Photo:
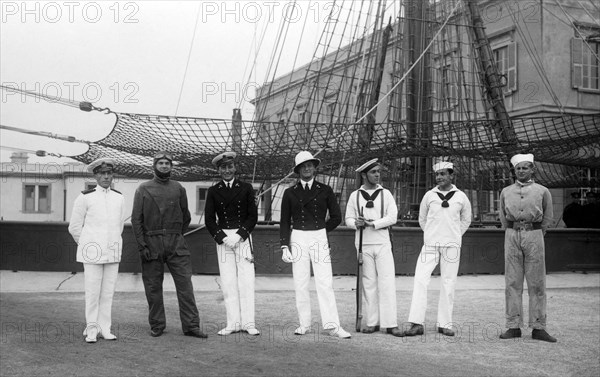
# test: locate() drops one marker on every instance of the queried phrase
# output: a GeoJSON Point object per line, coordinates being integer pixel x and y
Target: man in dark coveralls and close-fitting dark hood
{"type": "Point", "coordinates": [160, 216]}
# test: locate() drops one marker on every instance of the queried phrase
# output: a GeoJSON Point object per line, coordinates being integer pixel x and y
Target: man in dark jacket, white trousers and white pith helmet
{"type": "Point", "coordinates": [305, 206]}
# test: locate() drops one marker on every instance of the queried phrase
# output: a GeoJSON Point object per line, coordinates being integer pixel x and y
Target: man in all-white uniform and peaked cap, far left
{"type": "Point", "coordinates": [96, 225]}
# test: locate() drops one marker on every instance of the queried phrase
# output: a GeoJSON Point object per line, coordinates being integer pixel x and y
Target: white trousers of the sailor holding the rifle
{"type": "Point", "coordinates": [379, 285]}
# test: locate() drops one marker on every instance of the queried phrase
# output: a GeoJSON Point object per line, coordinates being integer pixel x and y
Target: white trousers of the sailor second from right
{"type": "Point", "coordinates": [449, 260]}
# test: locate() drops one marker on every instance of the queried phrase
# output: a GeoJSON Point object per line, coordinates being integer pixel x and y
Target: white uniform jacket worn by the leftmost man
{"type": "Point", "coordinates": [96, 225]}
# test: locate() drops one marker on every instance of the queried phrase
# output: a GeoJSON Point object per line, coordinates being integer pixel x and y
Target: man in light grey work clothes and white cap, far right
{"type": "Point", "coordinates": [525, 213]}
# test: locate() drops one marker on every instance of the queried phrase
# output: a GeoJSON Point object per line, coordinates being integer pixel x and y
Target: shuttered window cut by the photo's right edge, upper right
{"type": "Point", "coordinates": [585, 69]}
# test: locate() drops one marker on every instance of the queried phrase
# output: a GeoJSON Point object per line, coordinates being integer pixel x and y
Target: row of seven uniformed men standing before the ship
{"type": "Point", "coordinates": [309, 210]}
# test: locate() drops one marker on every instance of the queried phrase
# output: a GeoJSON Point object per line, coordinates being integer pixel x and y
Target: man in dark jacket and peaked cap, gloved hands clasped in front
{"type": "Point", "coordinates": [231, 215]}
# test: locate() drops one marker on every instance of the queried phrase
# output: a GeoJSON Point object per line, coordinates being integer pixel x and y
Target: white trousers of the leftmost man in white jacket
{"type": "Point", "coordinates": [100, 281]}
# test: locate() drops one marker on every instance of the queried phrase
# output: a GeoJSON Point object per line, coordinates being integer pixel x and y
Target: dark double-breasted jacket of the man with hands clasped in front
{"type": "Point", "coordinates": [230, 208]}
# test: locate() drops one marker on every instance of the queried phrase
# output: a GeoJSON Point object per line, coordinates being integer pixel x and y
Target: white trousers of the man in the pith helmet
{"type": "Point", "coordinates": [311, 246]}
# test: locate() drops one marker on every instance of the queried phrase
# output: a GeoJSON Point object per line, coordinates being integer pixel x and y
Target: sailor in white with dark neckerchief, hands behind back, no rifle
{"type": "Point", "coordinates": [444, 216]}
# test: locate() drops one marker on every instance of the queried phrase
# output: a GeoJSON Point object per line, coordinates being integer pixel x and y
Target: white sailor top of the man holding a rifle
{"type": "Point", "coordinates": [379, 234]}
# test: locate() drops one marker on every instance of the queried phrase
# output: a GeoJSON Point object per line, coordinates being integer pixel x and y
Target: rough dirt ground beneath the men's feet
{"type": "Point", "coordinates": [41, 336]}
